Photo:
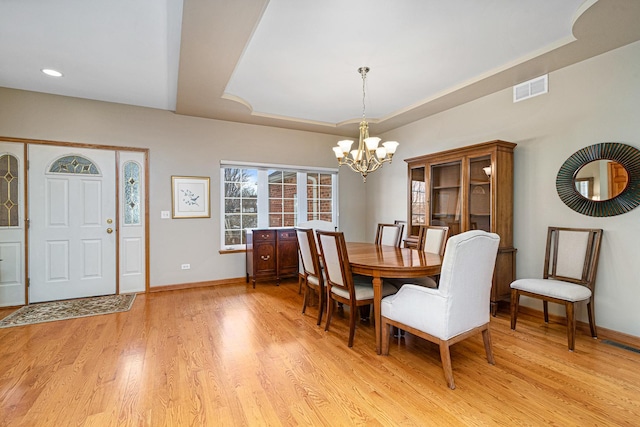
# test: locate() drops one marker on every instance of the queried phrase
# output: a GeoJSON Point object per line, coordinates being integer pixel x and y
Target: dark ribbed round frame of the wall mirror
{"type": "Point", "coordinates": [626, 155]}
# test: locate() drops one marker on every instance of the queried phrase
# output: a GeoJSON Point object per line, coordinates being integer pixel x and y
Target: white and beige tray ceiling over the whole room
{"type": "Point", "coordinates": [293, 63]}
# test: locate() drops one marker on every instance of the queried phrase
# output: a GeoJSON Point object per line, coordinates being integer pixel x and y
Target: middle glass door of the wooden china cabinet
{"type": "Point", "coordinates": [445, 196]}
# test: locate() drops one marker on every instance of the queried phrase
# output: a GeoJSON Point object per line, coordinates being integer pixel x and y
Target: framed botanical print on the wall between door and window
{"type": "Point", "coordinates": [190, 197]}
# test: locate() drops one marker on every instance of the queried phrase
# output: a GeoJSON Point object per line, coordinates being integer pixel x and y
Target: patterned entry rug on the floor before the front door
{"type": "Point", "coordinates": [69, 309]}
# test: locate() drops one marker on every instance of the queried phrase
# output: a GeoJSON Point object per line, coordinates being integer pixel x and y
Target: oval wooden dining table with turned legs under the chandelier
{"type": "Point", "coordinates": [380, 261]}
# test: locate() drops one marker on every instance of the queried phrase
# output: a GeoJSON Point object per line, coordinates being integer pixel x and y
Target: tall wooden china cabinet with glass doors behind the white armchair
{"type": "Point", "coordinates": [467, 188]}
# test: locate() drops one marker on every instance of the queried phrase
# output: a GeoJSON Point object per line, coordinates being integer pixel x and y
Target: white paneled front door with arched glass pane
{"type": "Point", "coordinates": [72, 237]}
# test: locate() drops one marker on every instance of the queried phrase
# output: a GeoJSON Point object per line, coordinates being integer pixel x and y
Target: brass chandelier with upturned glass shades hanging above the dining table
{"type": "Point", "coordinates": [369, 156]}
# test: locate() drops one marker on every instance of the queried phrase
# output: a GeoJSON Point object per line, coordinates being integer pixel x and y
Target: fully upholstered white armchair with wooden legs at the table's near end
{"type": "Point", "coordinates": [458, 309]}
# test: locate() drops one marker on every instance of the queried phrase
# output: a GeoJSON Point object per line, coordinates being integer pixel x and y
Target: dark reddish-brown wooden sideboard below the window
{"type": "Point", "coordinates": [272, 253]}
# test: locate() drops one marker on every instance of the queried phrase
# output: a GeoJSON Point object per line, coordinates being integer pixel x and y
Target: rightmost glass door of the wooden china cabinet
{"type": "Point", "coordinates": [480, 193]}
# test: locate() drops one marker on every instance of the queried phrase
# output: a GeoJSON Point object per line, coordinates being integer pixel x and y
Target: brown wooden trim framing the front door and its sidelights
{"type": "Point", "coordinates": [117, 149]}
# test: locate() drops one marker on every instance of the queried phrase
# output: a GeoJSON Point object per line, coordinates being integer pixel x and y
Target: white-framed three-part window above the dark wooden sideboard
{"type": "Point", "coordinates": [256, 195]}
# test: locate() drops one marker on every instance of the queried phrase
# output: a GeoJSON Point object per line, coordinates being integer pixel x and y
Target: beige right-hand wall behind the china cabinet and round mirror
{"type": "Point", "coordinates": [591, 102]}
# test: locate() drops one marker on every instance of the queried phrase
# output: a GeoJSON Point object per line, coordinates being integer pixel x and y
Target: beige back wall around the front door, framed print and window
{"type": "Point", "coordinates": [179, 145]}
